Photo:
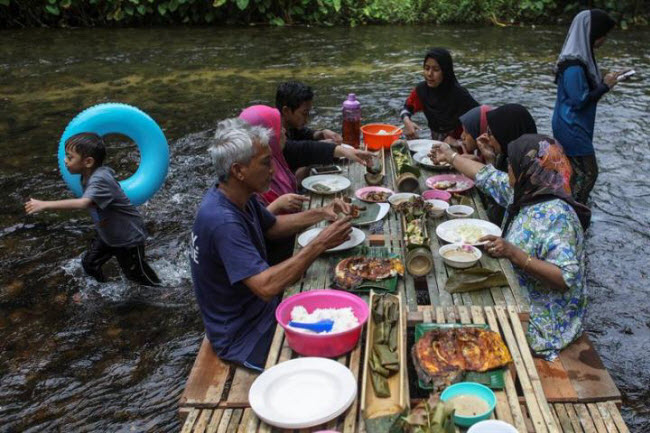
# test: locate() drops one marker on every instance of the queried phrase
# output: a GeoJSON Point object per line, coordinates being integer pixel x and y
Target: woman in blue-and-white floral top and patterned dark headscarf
{"type": "Point", "coordinates": [543, 235]}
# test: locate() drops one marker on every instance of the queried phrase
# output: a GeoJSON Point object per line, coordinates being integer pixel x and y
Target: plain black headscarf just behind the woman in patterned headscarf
{"type": "Point", "coordinates": [509, 122]}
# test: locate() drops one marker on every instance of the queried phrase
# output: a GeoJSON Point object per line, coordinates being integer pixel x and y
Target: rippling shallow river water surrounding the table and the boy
{"type": "Point", "coordinates": [80, 356]}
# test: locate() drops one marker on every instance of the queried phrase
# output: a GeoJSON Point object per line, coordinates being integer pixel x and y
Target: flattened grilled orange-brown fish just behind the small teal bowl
{"type": "Point", "coordinates": [441, 356]}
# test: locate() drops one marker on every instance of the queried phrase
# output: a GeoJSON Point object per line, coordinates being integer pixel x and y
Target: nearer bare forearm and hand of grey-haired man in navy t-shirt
{"type": "Point", "coordinates": [275, 279]}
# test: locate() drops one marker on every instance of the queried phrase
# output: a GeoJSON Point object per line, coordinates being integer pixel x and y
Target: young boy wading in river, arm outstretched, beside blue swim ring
{"type": "Point", "coordinates": [120, 228]}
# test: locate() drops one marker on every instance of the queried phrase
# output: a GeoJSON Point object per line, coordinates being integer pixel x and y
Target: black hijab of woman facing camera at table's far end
{"type": "Point", "coordinates": [443, 105]}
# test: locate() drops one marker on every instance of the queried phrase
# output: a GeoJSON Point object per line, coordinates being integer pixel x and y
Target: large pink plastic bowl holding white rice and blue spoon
{"type": "Point", "coordinates": [324, 345]}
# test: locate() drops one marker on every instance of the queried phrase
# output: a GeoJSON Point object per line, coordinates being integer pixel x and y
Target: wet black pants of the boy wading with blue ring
{"type": "Point", "coordinates": [131, 260]}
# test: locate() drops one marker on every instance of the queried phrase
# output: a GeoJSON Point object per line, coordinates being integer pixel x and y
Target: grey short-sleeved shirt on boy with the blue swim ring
{"type": "Point", "coordinates": [118, 222]}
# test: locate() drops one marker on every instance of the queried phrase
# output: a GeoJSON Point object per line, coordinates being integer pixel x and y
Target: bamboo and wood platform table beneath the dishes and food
{"type": "Point", "coordinates": [567, 396]}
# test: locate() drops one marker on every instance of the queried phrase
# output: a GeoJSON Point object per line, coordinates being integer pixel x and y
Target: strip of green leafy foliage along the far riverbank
{"type": "Point", "coordinates": [87, 13]}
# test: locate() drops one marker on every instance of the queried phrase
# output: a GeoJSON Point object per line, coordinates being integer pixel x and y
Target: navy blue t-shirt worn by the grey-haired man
{"type": "Point", "coordinates": [227, 246]}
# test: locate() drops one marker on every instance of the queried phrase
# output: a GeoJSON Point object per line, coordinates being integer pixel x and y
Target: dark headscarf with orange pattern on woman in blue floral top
{"type": "Point", "coordinates": [542, 173]}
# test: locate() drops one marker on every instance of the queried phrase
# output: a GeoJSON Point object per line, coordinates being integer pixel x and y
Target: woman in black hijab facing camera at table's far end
{"type": "Point", "coordinates": [442, 99]}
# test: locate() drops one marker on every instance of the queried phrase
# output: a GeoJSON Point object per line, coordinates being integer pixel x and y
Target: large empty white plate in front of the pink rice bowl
{"type": "Point", "coordinates": [302, 392]}
